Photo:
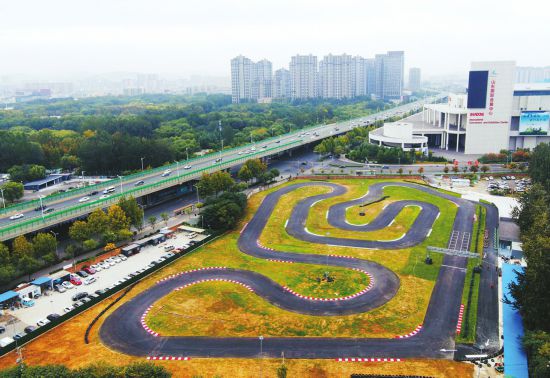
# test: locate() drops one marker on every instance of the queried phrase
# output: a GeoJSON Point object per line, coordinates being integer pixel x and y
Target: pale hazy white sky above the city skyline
{"type": "Point", "coordinates": [185, 37]}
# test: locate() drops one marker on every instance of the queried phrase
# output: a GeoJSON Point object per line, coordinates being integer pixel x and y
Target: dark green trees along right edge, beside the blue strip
{"type": "Point", "coordinates": [531, 292]}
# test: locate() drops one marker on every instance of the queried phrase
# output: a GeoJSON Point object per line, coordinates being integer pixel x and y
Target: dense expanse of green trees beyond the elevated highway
{"type": "Point", "coordinates": [110, 136]}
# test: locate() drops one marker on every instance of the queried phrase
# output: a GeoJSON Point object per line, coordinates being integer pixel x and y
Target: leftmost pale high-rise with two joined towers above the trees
{"type": "Point", "coordinates": [249, 80]}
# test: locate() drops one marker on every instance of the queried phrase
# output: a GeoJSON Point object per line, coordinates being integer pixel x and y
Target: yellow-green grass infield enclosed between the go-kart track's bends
{"type": "Point", "coordinates": [224, 309]}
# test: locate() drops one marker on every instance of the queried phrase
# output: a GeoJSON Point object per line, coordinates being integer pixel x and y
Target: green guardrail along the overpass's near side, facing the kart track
{"type": "Point", "coordinates": [83, 208]}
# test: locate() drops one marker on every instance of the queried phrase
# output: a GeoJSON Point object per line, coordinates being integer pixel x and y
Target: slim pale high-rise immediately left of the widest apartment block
{"type": "Point", "coordinates": [303, 76]}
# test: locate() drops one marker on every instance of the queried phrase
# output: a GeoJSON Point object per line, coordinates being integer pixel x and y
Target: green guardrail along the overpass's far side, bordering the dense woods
{"type": "Point", "coordinates": [80, 191]}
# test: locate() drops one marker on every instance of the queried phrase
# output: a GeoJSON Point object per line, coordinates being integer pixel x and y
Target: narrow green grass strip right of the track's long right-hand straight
{"type": "Point", "coordinates": [468, 332]}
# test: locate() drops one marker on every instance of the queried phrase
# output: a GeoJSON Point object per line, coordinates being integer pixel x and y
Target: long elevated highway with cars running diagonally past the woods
{"type": "Point", "coordinates": [67, 206]}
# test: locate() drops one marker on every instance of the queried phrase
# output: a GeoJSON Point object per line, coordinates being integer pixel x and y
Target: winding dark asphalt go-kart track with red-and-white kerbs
{"type": "Point", "coordinates": [123, 329]}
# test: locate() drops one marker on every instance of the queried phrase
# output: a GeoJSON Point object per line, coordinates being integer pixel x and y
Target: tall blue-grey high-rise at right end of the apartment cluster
{"type": "Point", "coordinates": [389, 75]}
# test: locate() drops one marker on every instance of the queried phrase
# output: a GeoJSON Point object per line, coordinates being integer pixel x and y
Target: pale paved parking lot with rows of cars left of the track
{"type": "Point", "coordinates": [53, 302]}
